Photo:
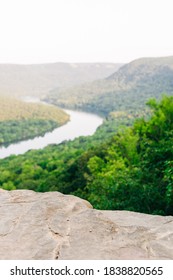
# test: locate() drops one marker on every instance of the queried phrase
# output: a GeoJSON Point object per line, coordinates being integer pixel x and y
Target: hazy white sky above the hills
{"type": "Point", "coordinates": [36, 31]}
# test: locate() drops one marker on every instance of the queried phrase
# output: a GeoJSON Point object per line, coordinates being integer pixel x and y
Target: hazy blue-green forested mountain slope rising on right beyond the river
{"type": "Point", "coordinates": [127, 90]}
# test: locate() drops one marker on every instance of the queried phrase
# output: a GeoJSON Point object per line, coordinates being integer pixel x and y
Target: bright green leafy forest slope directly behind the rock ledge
{"type": "Point", "coordinates": [131, 170]}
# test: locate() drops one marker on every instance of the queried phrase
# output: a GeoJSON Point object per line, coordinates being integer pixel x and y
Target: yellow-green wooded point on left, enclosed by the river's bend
{"type": "Point", "coordinates": [20, 120]}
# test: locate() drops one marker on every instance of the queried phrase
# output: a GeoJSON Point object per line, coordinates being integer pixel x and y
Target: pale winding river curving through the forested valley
{"type": "Point", "coordinates": [80, 124]}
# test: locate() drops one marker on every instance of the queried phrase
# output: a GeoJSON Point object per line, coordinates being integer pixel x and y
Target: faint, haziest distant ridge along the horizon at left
{"type": "Point", "coordinates": [39, 79]}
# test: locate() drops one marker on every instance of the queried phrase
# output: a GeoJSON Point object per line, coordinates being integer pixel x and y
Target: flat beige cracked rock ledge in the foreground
{"type": "Point", "coordinates": [56, 226]}
